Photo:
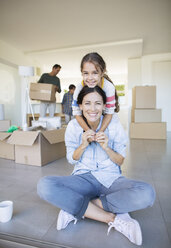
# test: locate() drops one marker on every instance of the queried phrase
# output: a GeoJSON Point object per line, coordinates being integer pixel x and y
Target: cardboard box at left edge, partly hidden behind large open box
{"type": "Point", "coordinates": [6, 150]}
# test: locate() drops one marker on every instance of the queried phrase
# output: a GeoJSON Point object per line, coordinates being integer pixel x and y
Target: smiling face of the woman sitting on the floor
{"type": "Point", "coordinates": [92, 107]}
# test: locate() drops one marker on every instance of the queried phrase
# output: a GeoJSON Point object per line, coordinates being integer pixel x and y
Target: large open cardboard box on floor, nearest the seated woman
{"type": "Point", "coordinates": [38, 147]}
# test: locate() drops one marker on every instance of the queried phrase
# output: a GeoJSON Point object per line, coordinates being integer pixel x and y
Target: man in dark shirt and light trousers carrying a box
{"type": "Point", "coordinates": [50, 78]}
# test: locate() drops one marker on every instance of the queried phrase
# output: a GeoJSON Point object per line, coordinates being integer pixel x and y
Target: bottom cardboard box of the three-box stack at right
{"type": "Point", "coordinates": [148, 130]}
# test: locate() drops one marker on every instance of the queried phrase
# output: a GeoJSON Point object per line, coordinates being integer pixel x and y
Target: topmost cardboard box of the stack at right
{"type": "Point", "coordinates": [144, 97]}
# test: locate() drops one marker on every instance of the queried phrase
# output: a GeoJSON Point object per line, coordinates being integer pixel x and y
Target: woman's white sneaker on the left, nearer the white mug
{"type": "Point", "coordinates": [64, 219]}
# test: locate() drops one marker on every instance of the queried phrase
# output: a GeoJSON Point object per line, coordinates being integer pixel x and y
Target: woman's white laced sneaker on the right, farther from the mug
{"type": "Point", "coordinates": [129, 227]}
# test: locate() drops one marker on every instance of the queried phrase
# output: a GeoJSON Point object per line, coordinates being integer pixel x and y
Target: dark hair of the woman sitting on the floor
{"type": "Point", "coordinates": [86, 90]}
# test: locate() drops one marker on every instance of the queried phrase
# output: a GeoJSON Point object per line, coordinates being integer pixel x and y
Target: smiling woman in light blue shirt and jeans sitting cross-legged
{"type": "Point", "coordinates": [96, 189]}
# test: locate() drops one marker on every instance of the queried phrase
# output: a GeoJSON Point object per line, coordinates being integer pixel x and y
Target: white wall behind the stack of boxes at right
{"type": "Point", "coordinates": [152, 70]}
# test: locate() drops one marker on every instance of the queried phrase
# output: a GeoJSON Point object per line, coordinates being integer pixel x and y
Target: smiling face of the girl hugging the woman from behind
{"type": "Point", "coordinates": [91, 76]}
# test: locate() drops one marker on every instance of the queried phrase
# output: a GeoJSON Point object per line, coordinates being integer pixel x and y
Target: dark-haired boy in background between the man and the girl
{"type": "Point", "coordinates": [67, 103]}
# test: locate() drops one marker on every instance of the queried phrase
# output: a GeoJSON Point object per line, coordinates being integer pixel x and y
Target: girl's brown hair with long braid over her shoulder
{"type": "Point", "coordinates": [99, 63]}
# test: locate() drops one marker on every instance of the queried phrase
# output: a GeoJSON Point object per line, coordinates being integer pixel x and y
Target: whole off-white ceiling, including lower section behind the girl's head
{"type": "Point", "coordinates": [62, 31]}
